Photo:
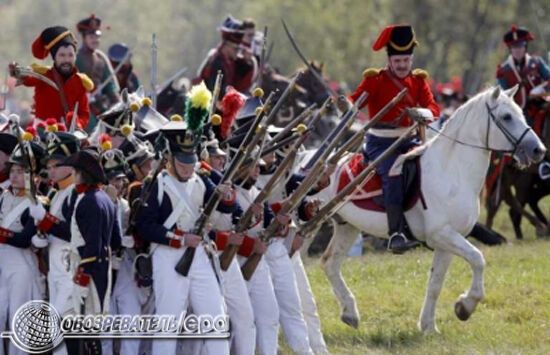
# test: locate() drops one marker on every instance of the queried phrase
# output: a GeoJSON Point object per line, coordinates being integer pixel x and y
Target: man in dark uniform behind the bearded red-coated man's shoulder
{"type": "Point", "coordinates": [96, 65]}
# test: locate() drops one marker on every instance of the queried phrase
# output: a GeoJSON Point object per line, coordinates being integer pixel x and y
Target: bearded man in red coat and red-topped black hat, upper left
{"type": "Point", "coordinates": [72, 86]}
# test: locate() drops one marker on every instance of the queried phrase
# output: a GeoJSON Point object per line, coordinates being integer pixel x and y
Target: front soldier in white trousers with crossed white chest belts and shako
{"type": "Point", "coordinates": [168, 222]}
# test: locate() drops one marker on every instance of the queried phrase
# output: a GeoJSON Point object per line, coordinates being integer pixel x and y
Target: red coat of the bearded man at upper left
{"type": "Point", "coordinates": [47, 102]}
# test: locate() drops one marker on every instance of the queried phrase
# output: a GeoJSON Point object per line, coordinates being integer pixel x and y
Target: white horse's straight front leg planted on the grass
{"type": "Point", "coordinates": [440, 264]}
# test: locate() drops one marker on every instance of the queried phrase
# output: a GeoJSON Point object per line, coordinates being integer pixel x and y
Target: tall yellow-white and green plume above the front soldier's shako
{"type": "Point", "coordinates": [196, 108]}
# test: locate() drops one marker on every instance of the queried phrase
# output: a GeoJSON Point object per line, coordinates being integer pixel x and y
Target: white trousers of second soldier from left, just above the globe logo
{"type": "Point", "coordinates": [60, 281]}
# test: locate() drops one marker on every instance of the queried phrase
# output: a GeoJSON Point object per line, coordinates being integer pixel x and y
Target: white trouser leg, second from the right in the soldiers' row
{"type": "Point", "coordinates": [286, 292]}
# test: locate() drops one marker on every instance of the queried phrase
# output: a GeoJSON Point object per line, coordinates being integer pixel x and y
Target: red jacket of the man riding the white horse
{"type": "Point", "coordinates": [381, 89]}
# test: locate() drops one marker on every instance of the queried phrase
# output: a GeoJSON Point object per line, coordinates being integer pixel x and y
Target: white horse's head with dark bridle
{"type": "Point", "coordinates": [507, 130]}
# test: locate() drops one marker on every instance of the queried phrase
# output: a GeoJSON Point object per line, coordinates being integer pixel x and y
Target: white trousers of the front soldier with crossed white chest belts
{"type": "Point", "coordinates": [174, 293]}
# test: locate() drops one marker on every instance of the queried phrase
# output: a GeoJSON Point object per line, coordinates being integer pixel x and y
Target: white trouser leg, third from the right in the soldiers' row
{"type": "Point", "coordinates": [266, 310]}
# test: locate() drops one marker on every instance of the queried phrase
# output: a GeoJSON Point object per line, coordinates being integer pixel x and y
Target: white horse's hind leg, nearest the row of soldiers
{"type": "Point", "coordinates": [343, 238]}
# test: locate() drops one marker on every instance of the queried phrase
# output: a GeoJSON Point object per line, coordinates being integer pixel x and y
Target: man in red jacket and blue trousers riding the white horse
{"type": "Point", "coordinates": [382, 85]}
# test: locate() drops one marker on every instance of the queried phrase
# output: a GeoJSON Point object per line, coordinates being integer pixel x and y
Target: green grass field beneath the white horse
{"type": "Point", "coordinates": [513, 319]}
